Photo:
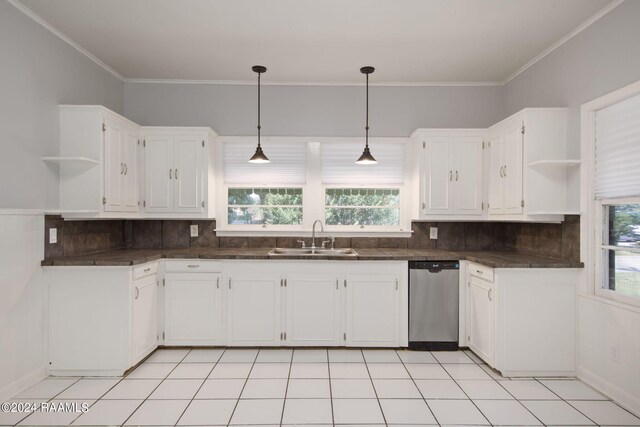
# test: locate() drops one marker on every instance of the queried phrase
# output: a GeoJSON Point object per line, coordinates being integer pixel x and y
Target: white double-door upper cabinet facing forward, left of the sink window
{"type": "Point", "coordinates": [179, 174]}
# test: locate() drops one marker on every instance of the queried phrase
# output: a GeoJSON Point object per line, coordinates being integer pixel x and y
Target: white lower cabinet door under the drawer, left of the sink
{"type": "Point", "coordinates": [192, 309]}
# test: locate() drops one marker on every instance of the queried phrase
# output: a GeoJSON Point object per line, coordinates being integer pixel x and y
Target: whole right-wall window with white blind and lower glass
{"type": "Point", "coordinates": [615, 130]}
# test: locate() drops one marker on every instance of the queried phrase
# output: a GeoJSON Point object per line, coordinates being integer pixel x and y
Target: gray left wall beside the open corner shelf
{"type": "Point", "coordinates": [38, 72]}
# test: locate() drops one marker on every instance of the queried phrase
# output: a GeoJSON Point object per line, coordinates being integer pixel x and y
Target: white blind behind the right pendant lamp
{"type": "Point", "coordinates": [339, 167]}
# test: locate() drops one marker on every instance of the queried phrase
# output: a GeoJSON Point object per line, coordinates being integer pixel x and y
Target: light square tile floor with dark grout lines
{"type": "Point", "coordinates": [207, 387]}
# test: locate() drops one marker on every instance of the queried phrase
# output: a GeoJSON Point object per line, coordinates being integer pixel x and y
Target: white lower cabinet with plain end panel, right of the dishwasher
{"type": "Point", "coordinates": [521, 321]}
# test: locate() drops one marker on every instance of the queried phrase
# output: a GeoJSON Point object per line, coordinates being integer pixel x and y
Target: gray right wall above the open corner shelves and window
{"type": "Point", "coordinates": [602, 58]}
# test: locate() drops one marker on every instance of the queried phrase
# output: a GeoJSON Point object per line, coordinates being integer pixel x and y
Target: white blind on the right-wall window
{"type": "Point", "coordinates": [617, 154]}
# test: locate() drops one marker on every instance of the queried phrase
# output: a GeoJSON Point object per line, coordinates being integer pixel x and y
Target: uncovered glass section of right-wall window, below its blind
{"type": "Point", "coordinates": [621, 248]}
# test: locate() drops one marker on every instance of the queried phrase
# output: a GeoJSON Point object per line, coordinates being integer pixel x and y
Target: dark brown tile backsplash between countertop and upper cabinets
{"type": "Point", "coordinates": [80, 237]}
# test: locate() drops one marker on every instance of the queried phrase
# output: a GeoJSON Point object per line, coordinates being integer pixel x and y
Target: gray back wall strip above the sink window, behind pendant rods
{"type": "Point", "coordinates": [311, 110]}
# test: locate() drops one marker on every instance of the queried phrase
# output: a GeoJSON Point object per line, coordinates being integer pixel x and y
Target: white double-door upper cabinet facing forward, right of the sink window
{"type": "Point", "coordinates": [450, 172]}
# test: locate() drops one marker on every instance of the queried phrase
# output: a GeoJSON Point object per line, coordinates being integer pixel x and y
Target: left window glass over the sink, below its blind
{"type": "Point", "coordinates": [264, 206]}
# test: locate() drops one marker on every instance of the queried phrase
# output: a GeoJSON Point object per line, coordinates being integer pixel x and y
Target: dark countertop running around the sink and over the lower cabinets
{"type": "Point", "coordinates": [126, 257]}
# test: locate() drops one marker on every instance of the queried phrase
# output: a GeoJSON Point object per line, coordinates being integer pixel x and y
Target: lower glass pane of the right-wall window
{"type": "Point", "coordinates": [624, 272]}
